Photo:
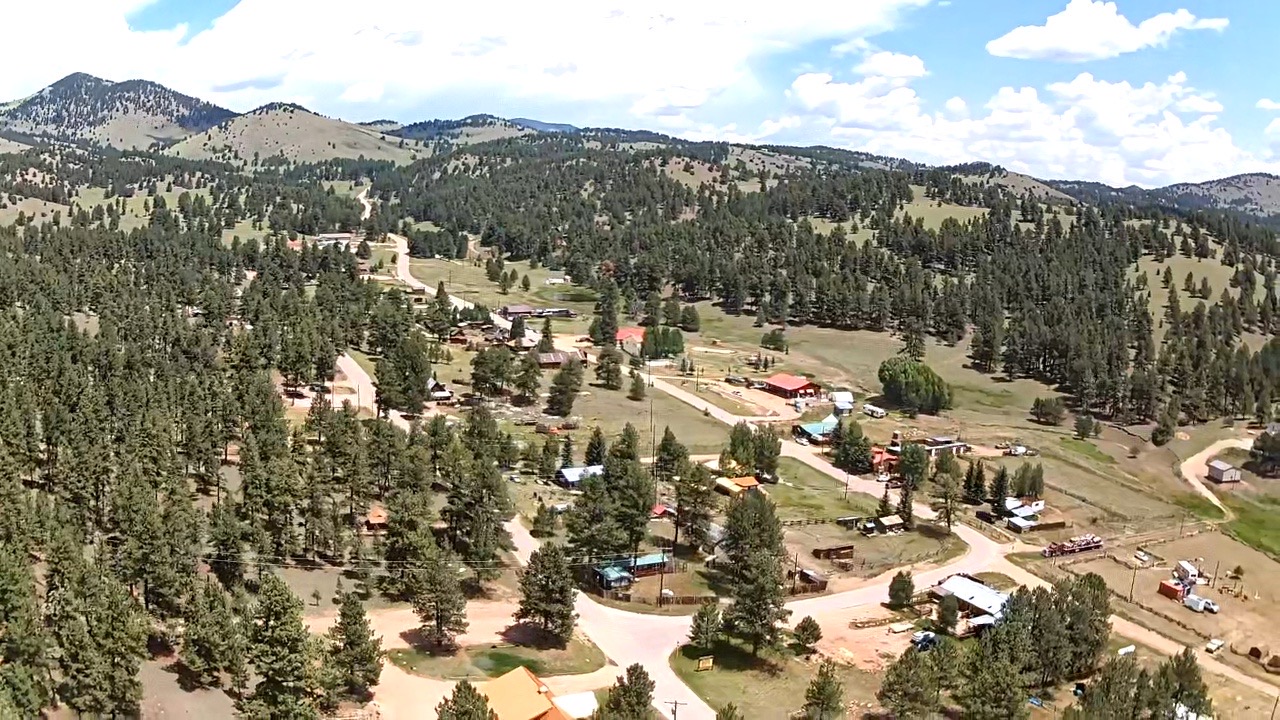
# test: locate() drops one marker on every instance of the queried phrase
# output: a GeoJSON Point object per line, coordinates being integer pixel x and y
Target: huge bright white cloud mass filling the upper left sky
{"type": "Point", "coordinates": [659, 58]}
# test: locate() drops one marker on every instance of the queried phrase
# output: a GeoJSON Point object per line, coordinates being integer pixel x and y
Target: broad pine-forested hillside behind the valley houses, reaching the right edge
{"type": "Point", "coordinates": [1048, 290]}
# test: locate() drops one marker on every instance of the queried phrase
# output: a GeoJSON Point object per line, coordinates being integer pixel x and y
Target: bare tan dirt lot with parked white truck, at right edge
{"type": "Point", "coordinates": [1250, 604]}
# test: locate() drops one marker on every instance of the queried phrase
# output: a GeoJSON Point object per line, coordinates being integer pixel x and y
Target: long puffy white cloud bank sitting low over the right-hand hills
{"type": "Point", "coordinates": [1114, 133]}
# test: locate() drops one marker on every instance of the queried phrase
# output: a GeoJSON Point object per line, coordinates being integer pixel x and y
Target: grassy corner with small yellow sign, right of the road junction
{"type": "Point", "coordinates": [770, 686]}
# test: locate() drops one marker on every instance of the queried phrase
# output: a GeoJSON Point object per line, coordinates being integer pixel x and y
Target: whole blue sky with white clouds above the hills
{"type": "Point", "coordinates": [1144, 93]}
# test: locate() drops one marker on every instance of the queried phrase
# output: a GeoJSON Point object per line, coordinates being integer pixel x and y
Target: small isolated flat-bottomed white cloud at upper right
{"type": "Point", "coordinates": [1094, 30]}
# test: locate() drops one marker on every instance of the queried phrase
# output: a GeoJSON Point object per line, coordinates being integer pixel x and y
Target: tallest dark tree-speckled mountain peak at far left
{"type": "Point", "coordinates": [131, 115]}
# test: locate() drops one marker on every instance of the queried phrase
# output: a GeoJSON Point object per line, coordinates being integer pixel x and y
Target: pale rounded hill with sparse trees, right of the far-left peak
{"type": "Point", "coordinates": [296, 134]}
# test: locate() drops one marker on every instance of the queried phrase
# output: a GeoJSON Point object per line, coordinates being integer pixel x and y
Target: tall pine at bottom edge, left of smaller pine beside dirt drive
{"type": "Point", "coordinates": [278, 649]}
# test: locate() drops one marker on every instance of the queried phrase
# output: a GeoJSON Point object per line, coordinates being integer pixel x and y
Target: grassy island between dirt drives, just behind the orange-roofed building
{"type": "Point", "coordinates": [481, 663]}
